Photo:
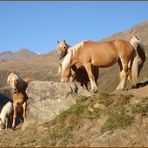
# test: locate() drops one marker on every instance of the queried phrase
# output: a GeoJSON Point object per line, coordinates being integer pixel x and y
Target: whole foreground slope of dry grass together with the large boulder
{"type": "Point", "coordinates": [65, 114]}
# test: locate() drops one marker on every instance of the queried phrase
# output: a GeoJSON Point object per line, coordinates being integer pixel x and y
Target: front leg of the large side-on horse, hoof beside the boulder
{"type": "Point", "coordinates": [88, 68]}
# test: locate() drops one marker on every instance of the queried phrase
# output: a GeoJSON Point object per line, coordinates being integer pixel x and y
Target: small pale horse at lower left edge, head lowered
{"type": "Point", "coordinates": [6, 113]}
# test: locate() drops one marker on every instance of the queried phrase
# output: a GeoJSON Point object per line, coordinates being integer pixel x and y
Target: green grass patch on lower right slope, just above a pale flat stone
{"type": "Point", "coordinates": [118, 118]}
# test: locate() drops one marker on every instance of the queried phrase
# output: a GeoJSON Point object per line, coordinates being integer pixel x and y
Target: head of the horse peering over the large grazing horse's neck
{"type": "Point", "coordinates": [62, 48]}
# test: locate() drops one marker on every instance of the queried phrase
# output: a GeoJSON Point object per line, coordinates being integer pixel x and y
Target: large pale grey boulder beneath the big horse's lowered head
{"type": "Point", "coordinates": [48, 99]}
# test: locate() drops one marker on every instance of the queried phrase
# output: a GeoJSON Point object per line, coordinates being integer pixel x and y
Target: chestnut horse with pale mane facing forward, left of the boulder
{"type": "Point", "coordinates": [19, 96]}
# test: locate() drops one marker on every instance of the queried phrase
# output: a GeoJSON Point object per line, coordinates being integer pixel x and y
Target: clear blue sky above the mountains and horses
{"type": "Point", "coordinates": [38, 25]}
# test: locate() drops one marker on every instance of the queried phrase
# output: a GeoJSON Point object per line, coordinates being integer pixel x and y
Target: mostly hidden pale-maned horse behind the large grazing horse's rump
{"type": "Point", "coordinates": [138, 60]}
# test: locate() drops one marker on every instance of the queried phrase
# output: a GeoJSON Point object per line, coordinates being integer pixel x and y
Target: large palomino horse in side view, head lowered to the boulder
{"type": "Point", "coordinates": [100, 54]}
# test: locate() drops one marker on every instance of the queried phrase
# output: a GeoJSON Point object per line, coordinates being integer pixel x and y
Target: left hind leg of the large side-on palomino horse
{"type": "Point", "coordinates": [123, 74]}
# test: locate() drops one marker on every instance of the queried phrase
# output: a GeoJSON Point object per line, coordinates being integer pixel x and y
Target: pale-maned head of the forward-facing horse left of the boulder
{"type": "Point", "coordinates": [14, 81]}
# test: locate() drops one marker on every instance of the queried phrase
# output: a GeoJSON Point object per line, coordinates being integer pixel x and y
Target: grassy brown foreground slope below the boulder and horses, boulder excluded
{"type": "Point", "coordinates": [116, 119]}
